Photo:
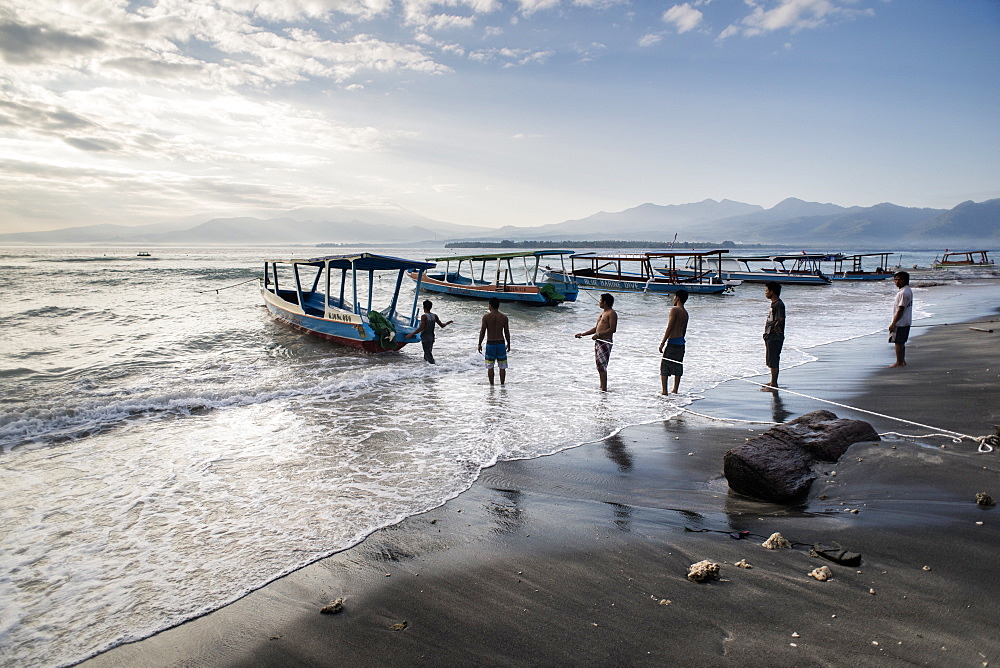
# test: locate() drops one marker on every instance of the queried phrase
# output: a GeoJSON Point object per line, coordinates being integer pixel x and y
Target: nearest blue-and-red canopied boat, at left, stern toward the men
{"type": "Point", "coordinates": [333, 298]}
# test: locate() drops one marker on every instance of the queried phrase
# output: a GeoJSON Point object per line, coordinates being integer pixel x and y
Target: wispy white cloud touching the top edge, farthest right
{"type": "Point", "coordinates": [792, 15]}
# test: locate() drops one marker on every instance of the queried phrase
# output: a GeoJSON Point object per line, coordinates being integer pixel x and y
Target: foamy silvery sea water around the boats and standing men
{"type": "Point", "coordinates": [166, 448]}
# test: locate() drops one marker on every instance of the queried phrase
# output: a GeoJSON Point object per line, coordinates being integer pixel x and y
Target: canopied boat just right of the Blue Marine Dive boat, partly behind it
{"type": "Point", "coordinates": [800, 270]}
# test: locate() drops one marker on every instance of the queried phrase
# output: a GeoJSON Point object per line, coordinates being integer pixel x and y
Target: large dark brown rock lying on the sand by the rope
{"type": "Point", "coordinates": [777, 465]}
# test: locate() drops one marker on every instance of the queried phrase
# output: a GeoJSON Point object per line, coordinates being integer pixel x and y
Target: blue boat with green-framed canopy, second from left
{"type": "Point", "coordinates": [510, 277]}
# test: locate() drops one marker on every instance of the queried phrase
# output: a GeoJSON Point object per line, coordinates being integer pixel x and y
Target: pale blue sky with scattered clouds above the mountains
{"type": "Point", "coordinates": [489, 112]}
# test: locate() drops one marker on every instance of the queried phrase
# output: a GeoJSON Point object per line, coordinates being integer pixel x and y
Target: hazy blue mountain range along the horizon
{"type": "Point", "coordinates": [791, 221]}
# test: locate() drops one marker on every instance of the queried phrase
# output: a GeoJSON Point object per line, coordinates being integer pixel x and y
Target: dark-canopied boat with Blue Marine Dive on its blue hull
{"type": "Point", "coordinates": [633, 272]}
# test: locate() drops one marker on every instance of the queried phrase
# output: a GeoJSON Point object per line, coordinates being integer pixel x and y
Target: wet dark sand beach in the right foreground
{"type": "Point", "coordinates": [580, 558]}
